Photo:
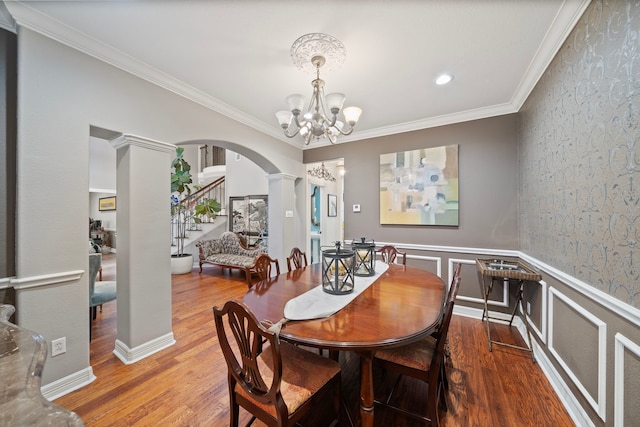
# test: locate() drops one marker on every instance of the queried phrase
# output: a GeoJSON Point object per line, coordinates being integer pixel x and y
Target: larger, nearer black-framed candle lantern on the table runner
{"type": "Point", "coordinates": [337, 270]}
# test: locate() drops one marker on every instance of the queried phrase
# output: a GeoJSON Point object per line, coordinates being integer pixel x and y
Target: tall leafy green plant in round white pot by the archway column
{"type": "Point", "coordinates": [184, 211]}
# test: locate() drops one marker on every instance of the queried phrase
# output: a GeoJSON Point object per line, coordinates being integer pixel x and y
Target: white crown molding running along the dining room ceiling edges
{"type": "Point", "coordinates": [34, 20]}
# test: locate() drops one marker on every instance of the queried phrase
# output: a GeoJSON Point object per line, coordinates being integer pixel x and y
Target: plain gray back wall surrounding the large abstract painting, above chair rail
{"type": "Point", "coordinates": [488, 167]}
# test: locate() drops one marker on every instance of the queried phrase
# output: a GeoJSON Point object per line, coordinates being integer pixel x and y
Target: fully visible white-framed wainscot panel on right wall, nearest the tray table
{"type": "Point", "coordinates": [574, 368]}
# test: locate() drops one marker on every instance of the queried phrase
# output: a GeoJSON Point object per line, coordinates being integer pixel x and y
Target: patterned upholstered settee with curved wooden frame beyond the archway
{"type": "Point", "coordinates": [229, 252]}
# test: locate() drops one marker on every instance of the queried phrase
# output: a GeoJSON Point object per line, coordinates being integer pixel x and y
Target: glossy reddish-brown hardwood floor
{"type": "Point", "coordinates": [186, 384]}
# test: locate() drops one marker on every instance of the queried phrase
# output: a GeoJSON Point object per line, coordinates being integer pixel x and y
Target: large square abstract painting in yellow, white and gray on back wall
{"type": "Point", "coordinates": [420, 187]}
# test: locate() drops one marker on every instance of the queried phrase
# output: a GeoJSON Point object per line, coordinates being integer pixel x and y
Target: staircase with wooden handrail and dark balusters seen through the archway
{"type": "Point", "coordinates": [207, 226]}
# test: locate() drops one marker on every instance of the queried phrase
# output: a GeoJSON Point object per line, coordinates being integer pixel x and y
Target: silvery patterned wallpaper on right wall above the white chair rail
{"type": "Point", "coordinates": [580, 154]}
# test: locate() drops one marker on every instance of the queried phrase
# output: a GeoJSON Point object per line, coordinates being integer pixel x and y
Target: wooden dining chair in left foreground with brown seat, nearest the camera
{"type": "Point", "coordinates": [275, 381]}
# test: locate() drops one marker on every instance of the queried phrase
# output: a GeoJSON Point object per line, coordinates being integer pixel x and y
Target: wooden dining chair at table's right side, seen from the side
{"type": "Point", "coordinates": [422, 360]}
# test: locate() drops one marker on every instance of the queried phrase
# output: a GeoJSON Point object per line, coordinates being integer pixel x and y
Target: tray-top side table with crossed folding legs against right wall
{"type": "Point", "coordinates": [511, 271]}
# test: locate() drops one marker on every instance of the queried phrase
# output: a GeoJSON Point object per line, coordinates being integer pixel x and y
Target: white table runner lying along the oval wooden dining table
{"type": "Point", "coordinates": [317, 304]}
